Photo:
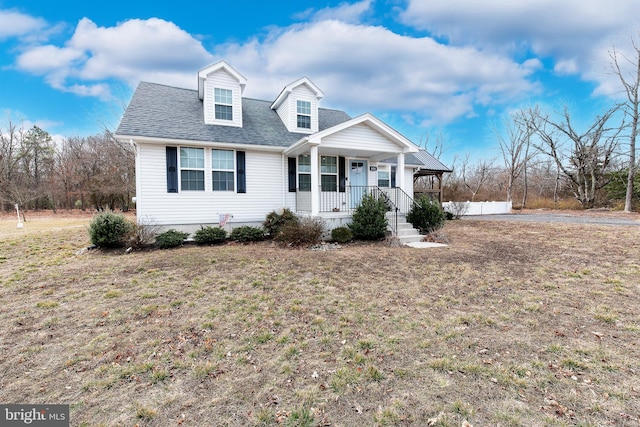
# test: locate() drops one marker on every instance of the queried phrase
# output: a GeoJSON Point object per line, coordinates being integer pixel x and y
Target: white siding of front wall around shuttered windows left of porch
{"type": "Point", "coordinates": [264, 193]}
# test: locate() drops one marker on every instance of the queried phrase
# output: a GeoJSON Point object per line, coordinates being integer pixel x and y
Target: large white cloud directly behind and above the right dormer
{"type": "Point", "coordinates": [371, 68]}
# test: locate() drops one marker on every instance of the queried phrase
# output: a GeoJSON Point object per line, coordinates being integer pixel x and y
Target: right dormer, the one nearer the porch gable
{"type": "Point", "coordinates": [297, 106]}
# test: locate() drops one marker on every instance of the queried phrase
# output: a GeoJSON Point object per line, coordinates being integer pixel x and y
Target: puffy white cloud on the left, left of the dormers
{"type": "Point", "coordinates": [134, 50]}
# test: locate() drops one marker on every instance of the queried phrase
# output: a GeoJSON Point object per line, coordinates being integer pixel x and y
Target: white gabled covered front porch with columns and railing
{"type": "Point", "coordinates": [332, 170]}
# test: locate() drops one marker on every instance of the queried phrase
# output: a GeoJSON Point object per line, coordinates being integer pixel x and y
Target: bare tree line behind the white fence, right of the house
{"type": "Point", "coordinates": [548, 155]}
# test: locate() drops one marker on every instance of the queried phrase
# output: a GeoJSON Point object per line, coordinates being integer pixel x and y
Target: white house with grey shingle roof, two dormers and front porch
{"type": "Point", "coordinates": [210, 155]}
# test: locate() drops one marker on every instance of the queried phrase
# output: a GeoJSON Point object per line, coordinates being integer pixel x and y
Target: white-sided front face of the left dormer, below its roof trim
{"type": "Point", "coordinates": [223, 81]}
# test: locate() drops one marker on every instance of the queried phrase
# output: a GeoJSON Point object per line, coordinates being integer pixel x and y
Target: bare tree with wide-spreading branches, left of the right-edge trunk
{"type": "Point", "coordinates": [583, 158]}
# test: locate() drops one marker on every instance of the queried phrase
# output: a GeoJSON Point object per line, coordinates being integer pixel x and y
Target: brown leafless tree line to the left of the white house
{"type": "Point", "coordinates": [36, 172]}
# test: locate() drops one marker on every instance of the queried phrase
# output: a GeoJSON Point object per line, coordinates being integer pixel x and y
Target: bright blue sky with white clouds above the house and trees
{"type": "Point", "coordinates": [438, 69]}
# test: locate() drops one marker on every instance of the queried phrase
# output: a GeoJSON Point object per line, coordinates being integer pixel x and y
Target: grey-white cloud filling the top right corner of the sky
{"type": "Point", "coordinates": [566, 30]}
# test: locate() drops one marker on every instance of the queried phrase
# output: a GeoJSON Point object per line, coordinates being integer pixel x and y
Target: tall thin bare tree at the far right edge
{"type": "Point", "coordinates": [629, 74]}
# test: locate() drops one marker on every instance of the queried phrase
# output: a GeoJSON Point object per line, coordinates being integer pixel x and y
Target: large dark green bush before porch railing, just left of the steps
{"type": "Point", "coordinates": [369, 221]}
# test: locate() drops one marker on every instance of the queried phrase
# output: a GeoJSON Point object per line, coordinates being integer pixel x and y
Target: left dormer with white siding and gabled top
{"type": "Point", "coordinates": [220, 88]}
